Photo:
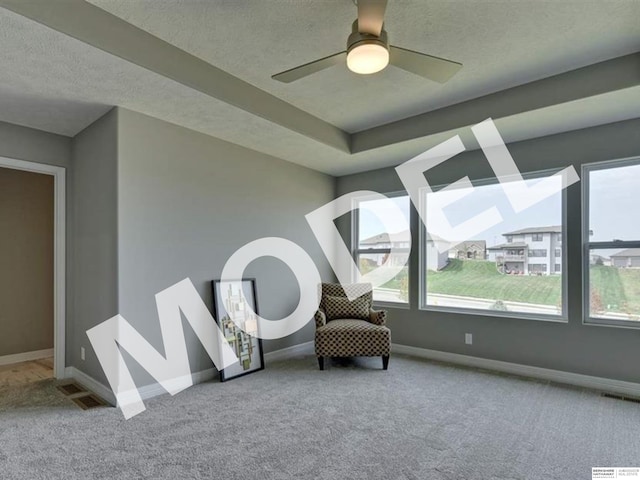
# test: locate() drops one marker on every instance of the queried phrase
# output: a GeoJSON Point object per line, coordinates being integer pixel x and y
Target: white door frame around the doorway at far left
{"type": "Point", "coordinates": [59, 255]}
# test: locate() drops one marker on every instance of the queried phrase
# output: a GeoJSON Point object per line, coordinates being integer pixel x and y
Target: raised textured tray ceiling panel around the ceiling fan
{"type": "Point", "coordinates": [500, 44]}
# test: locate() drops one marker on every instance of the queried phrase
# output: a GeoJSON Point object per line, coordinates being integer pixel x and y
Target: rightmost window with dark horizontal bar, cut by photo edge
{"type": "Point", "coordinates": [611, 239]}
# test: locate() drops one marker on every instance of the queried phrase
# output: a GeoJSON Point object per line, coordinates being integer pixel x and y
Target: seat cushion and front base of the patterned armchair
{"type": "Point", "coordinates": [352, 338]}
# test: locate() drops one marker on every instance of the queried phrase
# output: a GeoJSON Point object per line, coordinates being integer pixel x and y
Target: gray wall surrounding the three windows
{"type": "Point", "coordinates": [572, 347]}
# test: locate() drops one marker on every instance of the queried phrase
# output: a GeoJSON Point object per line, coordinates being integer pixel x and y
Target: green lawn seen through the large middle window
{"type": "Point", "coordinates": [480, 279]}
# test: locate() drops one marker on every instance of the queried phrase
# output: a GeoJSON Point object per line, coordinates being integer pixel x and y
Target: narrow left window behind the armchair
{"type": "Point", "coordinates": [373, 246]}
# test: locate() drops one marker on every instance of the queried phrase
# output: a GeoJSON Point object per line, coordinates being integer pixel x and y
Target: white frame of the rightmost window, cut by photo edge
{"type": "Point", "coordinates": [587, 245]}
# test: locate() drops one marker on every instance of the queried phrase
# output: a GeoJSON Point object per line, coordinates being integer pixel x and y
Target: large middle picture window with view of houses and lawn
{"type": "Point", "coordinates": [509, 278]}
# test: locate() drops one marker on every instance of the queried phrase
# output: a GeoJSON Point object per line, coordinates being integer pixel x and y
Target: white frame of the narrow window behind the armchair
{"type": "Point", "coordinates": [356, 251]}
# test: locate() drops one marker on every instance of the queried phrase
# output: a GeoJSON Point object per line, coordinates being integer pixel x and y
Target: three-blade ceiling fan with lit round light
{"type": "Point", "coordinates": [368, 51]}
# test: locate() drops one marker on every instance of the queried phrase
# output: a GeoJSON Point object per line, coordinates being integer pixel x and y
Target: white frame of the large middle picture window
{"type": "Point", "coordinates": [562, 317]}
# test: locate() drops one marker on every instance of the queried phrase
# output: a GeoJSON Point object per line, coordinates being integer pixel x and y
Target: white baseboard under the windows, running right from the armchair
{"type": "Point", "coordinates": [587, 381]}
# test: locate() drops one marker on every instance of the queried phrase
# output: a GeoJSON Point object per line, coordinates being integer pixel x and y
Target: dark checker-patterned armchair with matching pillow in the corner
{"type": "Point", "coordinates": [350, 328]}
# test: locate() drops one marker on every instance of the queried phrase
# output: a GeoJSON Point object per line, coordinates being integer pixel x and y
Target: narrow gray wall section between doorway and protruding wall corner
{"type": "Point", "coordinates": [93, 241]}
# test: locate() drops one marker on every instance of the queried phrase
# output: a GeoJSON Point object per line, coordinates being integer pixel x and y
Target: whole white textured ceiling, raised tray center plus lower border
{"type": "Point", "coordinates": [56, 83]}
